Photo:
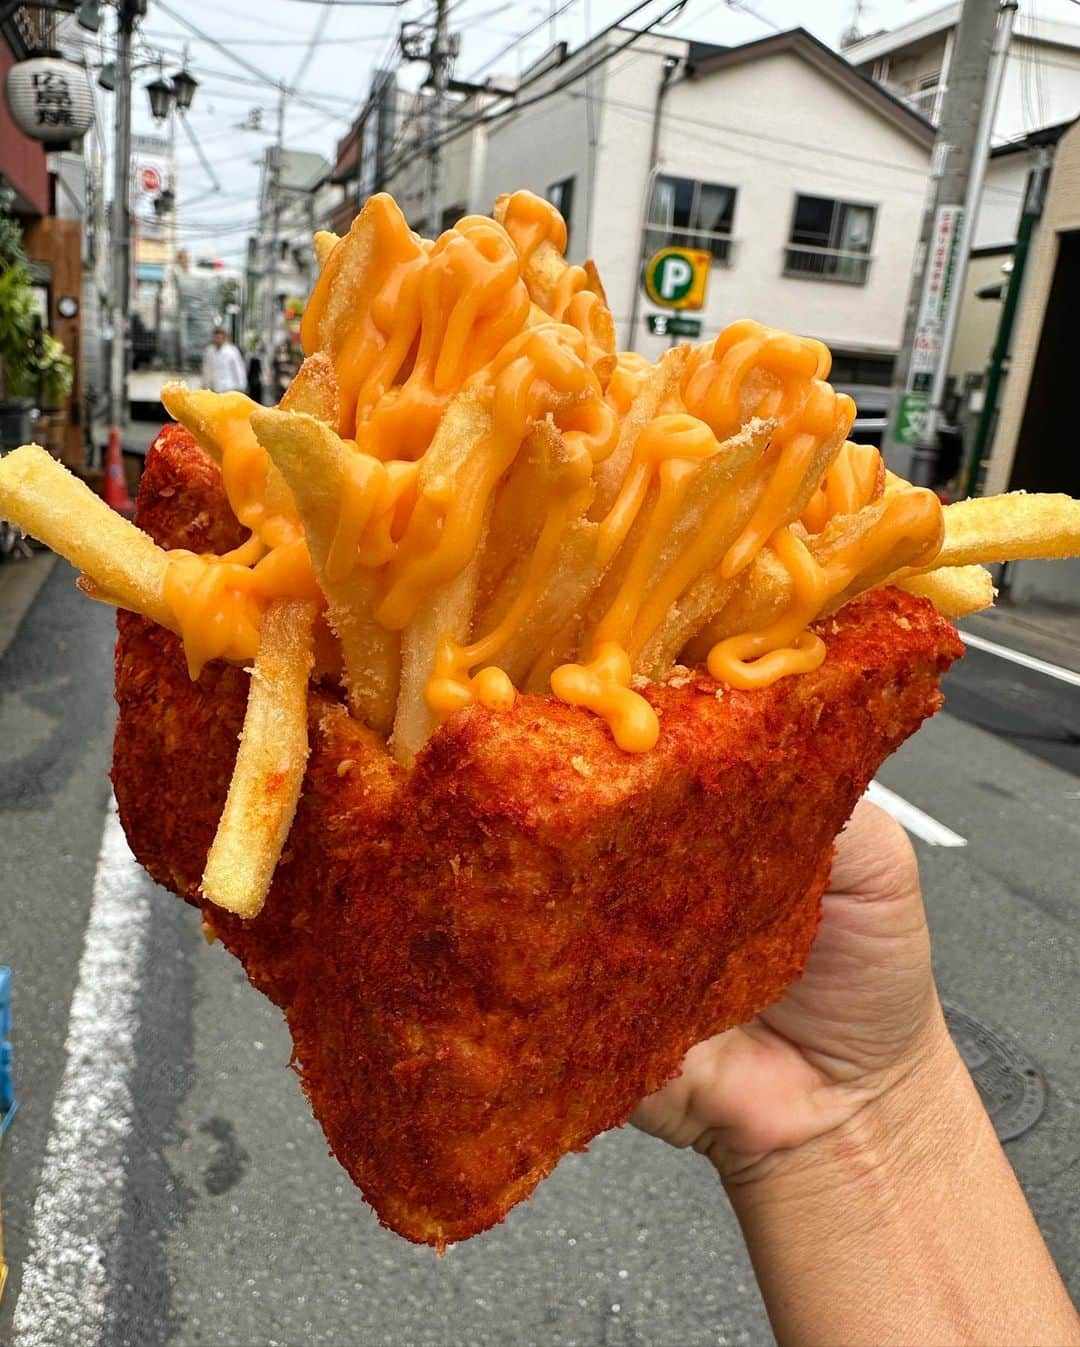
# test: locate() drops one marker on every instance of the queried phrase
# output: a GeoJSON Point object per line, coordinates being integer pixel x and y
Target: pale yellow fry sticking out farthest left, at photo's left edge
{"type": "Point", "coordinates": [46, 502]}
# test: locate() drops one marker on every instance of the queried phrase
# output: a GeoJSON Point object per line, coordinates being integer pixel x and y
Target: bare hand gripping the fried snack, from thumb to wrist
{"type": "Point", "coordinates": [864, 1018]}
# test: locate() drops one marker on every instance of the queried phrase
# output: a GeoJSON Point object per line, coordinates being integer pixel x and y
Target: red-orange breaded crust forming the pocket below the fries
{"type": "Point", "coordinates": [491, 960]}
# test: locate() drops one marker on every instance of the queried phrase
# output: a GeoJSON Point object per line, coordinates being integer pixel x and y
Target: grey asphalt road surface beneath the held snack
{"type": "Point", "coordinates": [189, 1198]}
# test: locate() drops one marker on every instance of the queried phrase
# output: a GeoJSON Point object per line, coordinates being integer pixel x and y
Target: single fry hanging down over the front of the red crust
{"type": "Point", "coordinates": [270, 764]}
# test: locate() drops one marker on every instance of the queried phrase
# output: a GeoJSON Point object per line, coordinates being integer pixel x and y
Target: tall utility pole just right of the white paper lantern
{"type": "Point", "coordinates": [121, 253]}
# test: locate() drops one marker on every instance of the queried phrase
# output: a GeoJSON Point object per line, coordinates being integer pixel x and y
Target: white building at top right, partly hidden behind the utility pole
{"type": "Point", "coordinates": [1042, 84]}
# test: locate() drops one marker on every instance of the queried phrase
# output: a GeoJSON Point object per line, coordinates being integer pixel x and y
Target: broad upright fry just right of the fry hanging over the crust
{"type": "Point", "coordinates": [317, 467]}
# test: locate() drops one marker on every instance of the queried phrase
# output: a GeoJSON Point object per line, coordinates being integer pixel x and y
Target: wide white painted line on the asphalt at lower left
{"type": "Point", "coordinates": [83, 1183]}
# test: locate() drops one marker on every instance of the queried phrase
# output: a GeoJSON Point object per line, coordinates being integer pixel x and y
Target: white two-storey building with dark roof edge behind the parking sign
{"type": "Point", "coordinates": [803, 178]}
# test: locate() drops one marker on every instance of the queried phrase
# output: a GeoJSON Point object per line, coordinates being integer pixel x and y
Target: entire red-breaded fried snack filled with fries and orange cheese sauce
{"type": "Point", "coordinates": [406, 707]}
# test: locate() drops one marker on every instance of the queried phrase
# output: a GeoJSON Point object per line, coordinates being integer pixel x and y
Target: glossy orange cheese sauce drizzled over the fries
{"type": "Point", "coordinates": [426, 320]}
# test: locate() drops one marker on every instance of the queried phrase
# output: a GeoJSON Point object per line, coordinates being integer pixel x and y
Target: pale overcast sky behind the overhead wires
{"type": "Point", "coordinates": [328, 52]}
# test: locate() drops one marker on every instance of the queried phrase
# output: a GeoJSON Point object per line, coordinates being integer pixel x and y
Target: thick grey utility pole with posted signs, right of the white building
{"type": "Point", "coordinates": [957, 173]}
